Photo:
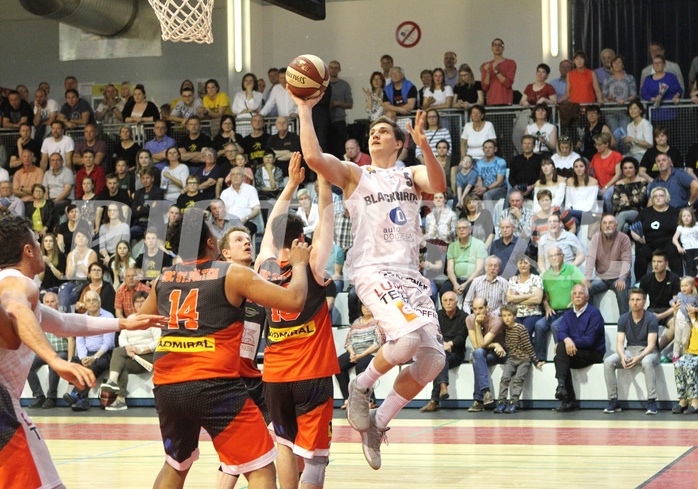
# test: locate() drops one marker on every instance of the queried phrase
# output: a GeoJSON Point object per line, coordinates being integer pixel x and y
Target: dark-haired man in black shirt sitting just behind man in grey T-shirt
{"type": "Point", "coordinates": [661, 285]}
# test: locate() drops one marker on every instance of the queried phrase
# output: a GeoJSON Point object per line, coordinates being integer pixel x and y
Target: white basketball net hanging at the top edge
{"type": "Point", "coordinates": [184, 20]}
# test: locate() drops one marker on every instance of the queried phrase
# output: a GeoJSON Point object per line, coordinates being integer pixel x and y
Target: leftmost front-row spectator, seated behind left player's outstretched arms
{"type": "Point", "coordinates": [65, 348]}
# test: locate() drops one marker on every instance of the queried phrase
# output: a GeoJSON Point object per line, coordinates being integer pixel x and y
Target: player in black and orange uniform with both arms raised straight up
{"type": "Point", "coordinates": [300, 358]}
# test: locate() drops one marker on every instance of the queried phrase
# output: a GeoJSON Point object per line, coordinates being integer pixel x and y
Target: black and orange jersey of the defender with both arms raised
{"type": "Point", "coordinates": [299, 346]}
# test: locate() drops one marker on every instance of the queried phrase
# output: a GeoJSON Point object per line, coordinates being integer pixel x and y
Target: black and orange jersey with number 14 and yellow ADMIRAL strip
{"type": "Point", "coordinates": [202, 339]}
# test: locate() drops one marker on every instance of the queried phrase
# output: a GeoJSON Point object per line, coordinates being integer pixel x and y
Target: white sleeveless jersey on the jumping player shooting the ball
{"type": "Point", "coordinates": [384, 210]}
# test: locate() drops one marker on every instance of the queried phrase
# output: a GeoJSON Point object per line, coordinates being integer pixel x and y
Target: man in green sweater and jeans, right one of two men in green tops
{"type": "Point", "coordinates": [558, 281]}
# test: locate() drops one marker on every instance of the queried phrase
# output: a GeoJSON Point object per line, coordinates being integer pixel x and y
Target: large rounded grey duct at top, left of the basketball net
{"type": "Point", "coordinates": [101, 17]}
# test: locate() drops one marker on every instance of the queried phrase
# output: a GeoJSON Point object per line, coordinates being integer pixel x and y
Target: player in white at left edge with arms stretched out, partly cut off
{"type": "Point", "coordinates": [24, 458]}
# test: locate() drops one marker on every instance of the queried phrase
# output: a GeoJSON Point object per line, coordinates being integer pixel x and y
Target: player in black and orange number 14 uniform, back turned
{"type": "Point", "coordinates": [197, 359]}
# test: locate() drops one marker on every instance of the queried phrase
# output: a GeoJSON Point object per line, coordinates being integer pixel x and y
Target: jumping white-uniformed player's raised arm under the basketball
{"type": "Point", "coordinates": [337, 172]}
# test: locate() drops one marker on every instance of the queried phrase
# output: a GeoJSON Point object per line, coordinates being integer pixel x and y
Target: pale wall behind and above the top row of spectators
{"type": "Point", "coordinates": [356, 32]}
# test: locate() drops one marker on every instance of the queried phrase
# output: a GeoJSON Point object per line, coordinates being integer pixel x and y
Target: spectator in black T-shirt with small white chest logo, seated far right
{"type": "Point", "coordinates": [656, 228]}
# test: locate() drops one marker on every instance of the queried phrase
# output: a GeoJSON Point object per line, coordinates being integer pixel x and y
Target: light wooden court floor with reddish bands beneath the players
{"type": "Point", "coordinates": [448, 449]}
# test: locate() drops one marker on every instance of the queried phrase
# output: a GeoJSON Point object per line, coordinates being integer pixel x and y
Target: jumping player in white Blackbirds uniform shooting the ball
{"type": "Point", "coordinates": [383, 203]}
